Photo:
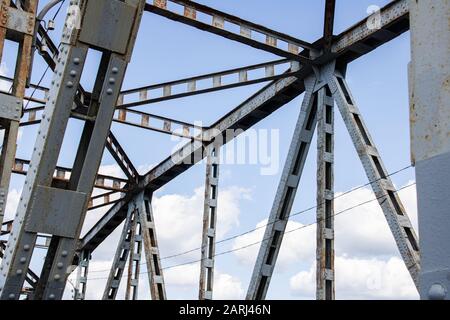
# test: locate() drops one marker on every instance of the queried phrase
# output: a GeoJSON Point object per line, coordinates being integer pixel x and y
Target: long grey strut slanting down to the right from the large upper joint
{"type": "Point", "coordinates": [396, 216]}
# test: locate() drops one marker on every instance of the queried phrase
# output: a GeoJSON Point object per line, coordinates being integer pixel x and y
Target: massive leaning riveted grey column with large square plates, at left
{"type": "Point", "coordinates": [49, 209]}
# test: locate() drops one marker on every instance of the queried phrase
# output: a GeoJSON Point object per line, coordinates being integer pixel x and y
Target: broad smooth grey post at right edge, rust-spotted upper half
{"type": "Point", "coordinates": [430, 131]}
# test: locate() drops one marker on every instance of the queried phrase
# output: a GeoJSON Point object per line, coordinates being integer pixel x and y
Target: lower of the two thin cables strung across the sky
{"type": "Point", "coordinates": [269, 238]}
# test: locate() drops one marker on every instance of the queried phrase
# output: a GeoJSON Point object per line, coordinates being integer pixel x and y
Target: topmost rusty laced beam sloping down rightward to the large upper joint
{"type": "Point", "coordinates": [219, 23]}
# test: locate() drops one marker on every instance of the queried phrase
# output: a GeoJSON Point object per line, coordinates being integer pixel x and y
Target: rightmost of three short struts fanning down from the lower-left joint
{"type": "Point", "coordinates": [152, 257]}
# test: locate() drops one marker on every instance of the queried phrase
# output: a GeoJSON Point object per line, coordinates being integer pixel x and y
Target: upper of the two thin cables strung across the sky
{"type": "Point", "coordinates": [270, 223]}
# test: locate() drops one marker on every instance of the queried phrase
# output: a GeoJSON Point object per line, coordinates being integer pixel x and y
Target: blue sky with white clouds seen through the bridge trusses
{"type": "Point", "coordinates": [166, 50]}
